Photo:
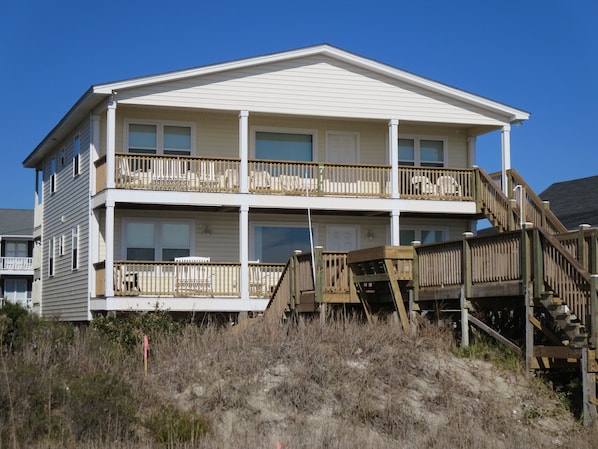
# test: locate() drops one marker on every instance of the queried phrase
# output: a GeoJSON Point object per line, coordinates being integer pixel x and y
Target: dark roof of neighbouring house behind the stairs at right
{"type": "Point", "coordinates": [574, 202]}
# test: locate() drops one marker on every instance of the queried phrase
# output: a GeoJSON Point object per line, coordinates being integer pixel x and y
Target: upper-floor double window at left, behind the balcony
{"type": "Point", "coordinates": [151, 138]}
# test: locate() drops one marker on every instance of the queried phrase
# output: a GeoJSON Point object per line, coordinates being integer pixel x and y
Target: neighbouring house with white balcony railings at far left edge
{"type": "Point", "coordinates": [16, 256]}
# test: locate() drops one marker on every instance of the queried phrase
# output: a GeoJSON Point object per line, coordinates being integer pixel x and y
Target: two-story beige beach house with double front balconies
{"type": "Point", "coordinates": [187, 190]}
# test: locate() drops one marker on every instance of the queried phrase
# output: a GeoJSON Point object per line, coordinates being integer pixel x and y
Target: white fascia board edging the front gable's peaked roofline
{"type": "Point", "coordinates": [513, 114]}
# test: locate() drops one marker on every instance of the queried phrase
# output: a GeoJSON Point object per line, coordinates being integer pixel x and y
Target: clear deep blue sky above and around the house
{"type": "Point", "coordinates": [537, 55]}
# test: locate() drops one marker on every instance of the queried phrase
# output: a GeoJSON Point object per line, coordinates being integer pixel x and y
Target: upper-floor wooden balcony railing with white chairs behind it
{"type": "Point", "coordinates": [188, 173]}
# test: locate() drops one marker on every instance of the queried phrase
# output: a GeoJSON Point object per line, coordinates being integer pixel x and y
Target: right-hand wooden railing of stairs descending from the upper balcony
{"type": "Point", "coordinates": [539, 215]}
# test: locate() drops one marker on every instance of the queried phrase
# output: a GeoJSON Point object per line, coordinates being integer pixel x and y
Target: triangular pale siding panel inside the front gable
{"type": "Point", "coordinates": [316, 85]}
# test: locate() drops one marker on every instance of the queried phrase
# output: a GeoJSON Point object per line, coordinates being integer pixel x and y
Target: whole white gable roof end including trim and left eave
{"type": "Point", "coordinates": [206, 83]}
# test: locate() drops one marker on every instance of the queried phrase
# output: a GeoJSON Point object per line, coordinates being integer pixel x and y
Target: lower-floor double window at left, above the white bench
{"type": "Point", "coordinates": [158, 240]}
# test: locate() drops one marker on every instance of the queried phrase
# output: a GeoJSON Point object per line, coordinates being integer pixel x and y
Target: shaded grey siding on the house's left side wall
{"type": "Point", "coordinates": [65, 295]}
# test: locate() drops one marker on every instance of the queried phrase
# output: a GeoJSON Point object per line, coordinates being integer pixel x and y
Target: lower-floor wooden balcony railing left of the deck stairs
{"type": "Point", "coordinates": [178, 279]}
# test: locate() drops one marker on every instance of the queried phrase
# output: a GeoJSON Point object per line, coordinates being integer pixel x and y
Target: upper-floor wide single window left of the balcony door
{"type": "Point", "coordinates": [284, 146]}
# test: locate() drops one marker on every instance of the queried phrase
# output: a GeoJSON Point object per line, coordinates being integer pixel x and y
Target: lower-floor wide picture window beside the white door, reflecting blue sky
{"type": "Point", "coordinates": [275, 244]}
